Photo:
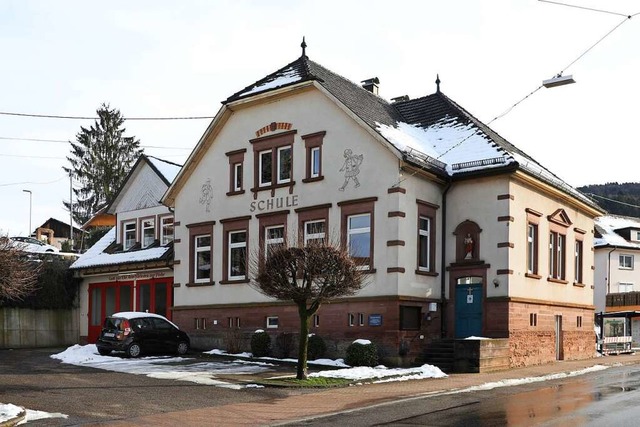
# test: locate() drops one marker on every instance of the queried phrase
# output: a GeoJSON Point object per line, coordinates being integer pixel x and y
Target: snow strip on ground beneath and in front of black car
{"type": "Point", "coordinates": [162, 367]}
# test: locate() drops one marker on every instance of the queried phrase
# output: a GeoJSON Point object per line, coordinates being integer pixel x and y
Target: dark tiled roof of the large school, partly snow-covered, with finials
{"type": "Point", "coordinates": [432, 132]}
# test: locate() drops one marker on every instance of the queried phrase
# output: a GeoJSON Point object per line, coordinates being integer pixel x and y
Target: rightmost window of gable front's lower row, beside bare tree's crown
{"type": "Point", "coordinates": [357, 230]}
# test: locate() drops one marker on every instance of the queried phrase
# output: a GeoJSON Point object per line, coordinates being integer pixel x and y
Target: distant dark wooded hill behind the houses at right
{"type": "Point", "coordinates": [616, 199]}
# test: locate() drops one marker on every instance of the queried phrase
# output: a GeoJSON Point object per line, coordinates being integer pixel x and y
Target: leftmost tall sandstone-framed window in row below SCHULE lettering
{"type": "Point", "coordinates": [200, 253]}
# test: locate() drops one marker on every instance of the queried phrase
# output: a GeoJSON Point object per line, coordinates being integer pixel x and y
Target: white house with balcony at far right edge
{"type": "Point", "coordinates": [617, 278]}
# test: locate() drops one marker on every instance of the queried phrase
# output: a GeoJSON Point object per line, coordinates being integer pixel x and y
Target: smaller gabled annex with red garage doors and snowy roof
{"type": "Point", "coordinates": [131, 267]}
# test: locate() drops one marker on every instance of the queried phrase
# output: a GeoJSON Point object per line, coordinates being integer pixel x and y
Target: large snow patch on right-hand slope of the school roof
{"type": "Point", "coordinates": [448, 141]}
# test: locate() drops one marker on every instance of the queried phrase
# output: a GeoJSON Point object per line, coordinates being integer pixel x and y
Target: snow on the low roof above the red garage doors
{"type": "Point", "coordinates": [96, 256]}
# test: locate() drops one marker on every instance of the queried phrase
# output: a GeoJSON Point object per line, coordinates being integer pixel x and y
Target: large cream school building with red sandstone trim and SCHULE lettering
{"type": "Point", "coordinates": [462, 233]}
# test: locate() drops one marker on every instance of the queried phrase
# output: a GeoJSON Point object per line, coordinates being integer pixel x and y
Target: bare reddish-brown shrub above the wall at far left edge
{"type": "Point", "coordinates": [18, 275]}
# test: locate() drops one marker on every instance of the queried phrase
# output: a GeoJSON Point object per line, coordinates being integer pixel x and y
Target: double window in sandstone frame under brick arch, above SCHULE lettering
{"type": "Point", "coordinates": [273, 161]}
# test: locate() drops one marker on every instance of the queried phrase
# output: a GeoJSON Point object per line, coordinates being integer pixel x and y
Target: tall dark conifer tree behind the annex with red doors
{"type": "Point", "coordinates": [100, 160]}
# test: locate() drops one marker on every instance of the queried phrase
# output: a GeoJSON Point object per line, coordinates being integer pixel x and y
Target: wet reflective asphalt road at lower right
{"type": "Point", "coordinates": [604, 398]}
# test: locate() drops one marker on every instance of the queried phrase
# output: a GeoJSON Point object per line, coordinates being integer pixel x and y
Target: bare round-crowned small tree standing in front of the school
{"type": "Point", "coordinates": [308, 276]}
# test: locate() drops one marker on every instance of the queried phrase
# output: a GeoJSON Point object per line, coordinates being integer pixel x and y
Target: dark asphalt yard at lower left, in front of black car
{"type": "Point", "coordinates": [32, 379]}
